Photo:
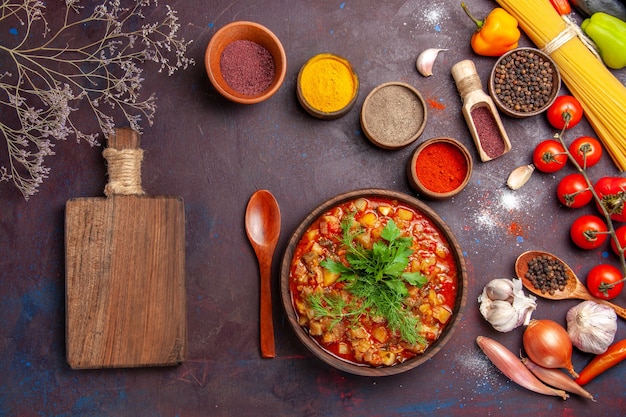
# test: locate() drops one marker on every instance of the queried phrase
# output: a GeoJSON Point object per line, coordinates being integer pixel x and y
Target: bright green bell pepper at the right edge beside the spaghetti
{"type": "Point", "coordinates": [609, 34]}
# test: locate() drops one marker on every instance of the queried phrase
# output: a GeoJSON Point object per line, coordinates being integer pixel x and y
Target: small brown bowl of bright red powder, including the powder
{"type": "Point", "coordinates": [440, 168]}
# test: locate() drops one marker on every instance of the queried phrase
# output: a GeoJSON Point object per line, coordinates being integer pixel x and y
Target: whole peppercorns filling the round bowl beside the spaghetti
{"type": "Point", "coordinates": [523, 81]}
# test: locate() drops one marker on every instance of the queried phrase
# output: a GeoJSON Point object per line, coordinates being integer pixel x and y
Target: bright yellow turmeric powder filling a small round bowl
{"type": "Point", "coordinates": [327, 83]}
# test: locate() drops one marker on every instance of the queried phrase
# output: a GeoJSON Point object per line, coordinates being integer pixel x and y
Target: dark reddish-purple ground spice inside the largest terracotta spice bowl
{"type": "Point", "coordinates": [247, 67]}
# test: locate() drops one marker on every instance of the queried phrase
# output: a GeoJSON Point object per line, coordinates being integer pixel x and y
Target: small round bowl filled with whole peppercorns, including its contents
{"type": "Point", "coordinates": [506, 76]}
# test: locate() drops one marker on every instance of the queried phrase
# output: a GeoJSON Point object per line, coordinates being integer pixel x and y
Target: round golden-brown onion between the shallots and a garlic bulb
{"type": "Point", "coordinates": [547, 344]}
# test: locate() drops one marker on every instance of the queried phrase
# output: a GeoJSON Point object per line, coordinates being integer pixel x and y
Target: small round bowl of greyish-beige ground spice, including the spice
{"type": "Point", "coordinates": [393, 115]}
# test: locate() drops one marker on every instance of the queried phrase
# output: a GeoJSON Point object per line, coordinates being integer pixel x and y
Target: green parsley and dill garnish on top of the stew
{"type": "Point", "coordinates": [377, 276]}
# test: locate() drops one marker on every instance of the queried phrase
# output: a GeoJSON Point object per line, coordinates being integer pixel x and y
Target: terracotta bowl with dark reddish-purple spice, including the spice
{"type": "Point", "coordinates": [245, 62]}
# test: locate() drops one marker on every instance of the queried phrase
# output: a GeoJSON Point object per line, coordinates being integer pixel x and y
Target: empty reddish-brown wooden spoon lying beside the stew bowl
{"type": "Point", "coordinates": [263, 230]}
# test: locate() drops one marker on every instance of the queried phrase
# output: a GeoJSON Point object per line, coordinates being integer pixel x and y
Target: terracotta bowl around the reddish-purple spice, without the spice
{"type": "Point", "coordinates": [244, 31]}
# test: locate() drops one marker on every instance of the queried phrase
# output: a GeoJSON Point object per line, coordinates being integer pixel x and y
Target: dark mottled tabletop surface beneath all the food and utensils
{"type": "Point", "coordinates": [215, 154]}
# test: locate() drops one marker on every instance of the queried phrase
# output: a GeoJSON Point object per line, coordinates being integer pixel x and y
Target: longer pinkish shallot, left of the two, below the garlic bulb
{"type": "Point", "coordinates": [513, 368]}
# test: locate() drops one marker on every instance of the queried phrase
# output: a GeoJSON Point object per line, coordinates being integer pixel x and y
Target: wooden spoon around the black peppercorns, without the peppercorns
{"type": "Point", "coordinates": [574, 289]}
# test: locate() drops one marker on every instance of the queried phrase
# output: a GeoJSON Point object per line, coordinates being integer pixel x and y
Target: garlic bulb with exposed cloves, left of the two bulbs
{"type": "Point", "coordinates": [504, 305]}
